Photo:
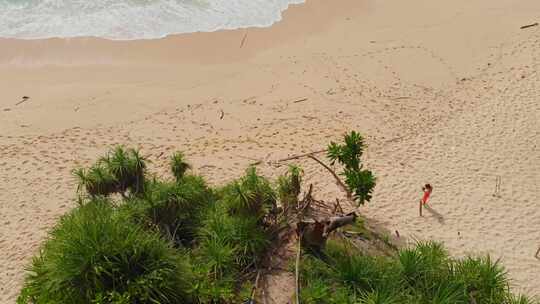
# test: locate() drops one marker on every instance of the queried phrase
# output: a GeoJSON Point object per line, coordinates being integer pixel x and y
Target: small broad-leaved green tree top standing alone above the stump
{"type": "Point", "coordinates": [360, 181]}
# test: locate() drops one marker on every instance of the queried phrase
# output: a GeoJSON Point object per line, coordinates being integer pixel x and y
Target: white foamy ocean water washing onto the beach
{"type": "Point", "coordinates": [132, 19]}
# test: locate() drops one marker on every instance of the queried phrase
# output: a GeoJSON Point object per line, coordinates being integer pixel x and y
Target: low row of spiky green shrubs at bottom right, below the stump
{"type": "Point", "coordinates": [423, 274]}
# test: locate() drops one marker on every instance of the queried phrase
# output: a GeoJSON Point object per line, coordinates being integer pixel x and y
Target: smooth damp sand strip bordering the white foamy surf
{"type": "Point", "coordinates": [227, 39]}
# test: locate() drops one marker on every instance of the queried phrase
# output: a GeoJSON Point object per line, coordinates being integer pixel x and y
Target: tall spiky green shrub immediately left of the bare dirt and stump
{"type": "Point", "coordinates": [233, 237]}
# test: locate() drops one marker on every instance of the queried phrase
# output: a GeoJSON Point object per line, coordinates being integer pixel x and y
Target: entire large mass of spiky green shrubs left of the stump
{"type": "Point", "coordinates": [163, 241]}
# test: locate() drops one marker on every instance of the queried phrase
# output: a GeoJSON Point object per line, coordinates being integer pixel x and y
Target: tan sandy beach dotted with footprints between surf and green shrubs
{"type": "Point", "coordinates": [446, 92]}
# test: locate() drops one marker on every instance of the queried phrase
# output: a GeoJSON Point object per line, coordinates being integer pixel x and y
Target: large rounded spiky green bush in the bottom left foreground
{"type": "Point", "coordinates": [94, 256]}
